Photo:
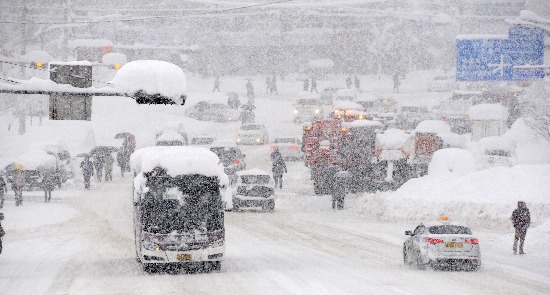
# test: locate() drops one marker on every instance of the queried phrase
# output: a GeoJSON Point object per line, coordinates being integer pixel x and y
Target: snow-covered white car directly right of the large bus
{"type": "Point", "coordinates": [254, 189]}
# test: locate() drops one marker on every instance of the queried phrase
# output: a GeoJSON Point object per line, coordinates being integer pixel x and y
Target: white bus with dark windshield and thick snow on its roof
{"type": "Point", "coordinates": [178, 211]}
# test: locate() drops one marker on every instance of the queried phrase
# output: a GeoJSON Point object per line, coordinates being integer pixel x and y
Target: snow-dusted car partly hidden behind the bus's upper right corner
{"type": "Point", "coordinates": [230, 156]}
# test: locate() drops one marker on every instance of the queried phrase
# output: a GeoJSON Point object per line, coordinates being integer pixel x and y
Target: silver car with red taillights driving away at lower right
{"type": "Point", "coordinates": [442, 245]}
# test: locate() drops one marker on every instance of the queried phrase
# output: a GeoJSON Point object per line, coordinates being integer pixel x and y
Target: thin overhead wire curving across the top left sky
{"type": "Point", "coordinates": [211, 12]}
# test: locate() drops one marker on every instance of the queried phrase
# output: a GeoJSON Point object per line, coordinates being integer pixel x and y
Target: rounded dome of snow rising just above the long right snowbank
{"type": "Point", "coordinates": [456, 162]}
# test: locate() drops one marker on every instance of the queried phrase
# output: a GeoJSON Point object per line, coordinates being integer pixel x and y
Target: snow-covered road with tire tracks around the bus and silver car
{"type": "Point", "coordinates": [302, 248]}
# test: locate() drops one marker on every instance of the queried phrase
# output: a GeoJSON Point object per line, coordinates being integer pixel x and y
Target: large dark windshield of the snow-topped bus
{"type": "Point", "coordinates": [181, 204]}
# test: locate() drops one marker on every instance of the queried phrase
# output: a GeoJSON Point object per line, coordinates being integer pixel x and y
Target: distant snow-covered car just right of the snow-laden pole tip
{"type": "Point", "coordinates": [209, 111]}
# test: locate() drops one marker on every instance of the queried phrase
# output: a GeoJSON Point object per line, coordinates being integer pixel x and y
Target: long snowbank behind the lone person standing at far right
{"type": "Point", "coordinates": [484, 198]}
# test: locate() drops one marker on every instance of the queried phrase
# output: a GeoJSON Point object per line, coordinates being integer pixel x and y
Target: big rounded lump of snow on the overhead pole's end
{"type": "Point", "coordinates": [152, 77]}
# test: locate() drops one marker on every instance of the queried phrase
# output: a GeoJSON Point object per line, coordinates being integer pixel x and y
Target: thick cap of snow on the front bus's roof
{"type": "Point", "coordinates": [177, 160]}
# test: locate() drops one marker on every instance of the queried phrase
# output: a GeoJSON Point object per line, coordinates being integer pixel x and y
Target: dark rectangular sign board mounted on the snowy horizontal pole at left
{"type": "Point", "coordinates": [66, 106]}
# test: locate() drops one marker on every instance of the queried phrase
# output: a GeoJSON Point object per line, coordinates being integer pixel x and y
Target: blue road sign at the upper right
{"type": "Point", "coordinates": [501, 58]}
